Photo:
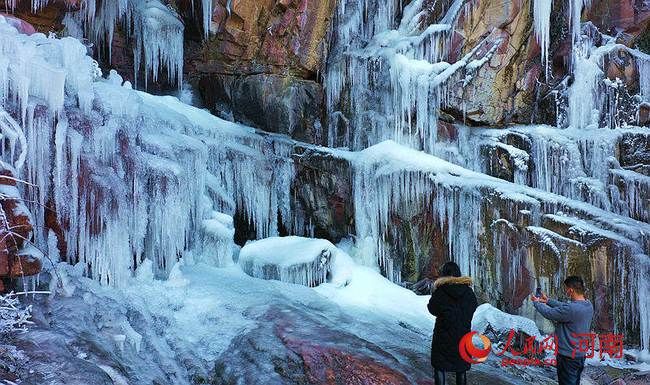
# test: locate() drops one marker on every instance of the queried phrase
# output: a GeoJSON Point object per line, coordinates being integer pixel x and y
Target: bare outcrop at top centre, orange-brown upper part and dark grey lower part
{"type": "Point", "coordinates": [260, 64]}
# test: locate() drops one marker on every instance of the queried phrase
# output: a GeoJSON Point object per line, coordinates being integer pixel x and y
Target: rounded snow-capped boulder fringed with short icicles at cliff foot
{"type": "Point", "coordinates": [296, 260]}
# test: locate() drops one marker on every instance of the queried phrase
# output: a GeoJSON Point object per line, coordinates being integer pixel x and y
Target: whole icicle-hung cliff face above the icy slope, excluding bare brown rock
{"type": "Point", "coordinates": [125, 177]}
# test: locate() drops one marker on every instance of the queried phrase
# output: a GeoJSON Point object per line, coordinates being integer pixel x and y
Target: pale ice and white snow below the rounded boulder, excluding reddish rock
{"type": "Point", "coordinates": [200, 309]}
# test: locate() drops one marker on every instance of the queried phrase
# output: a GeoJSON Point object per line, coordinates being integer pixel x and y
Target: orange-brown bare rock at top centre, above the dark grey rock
{"type": "Point", "coordinates": [267, 36]}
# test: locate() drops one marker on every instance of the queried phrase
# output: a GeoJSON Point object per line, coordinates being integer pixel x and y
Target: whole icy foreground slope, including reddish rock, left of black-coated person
{"type": "Point", "coordinates": [221, 325]}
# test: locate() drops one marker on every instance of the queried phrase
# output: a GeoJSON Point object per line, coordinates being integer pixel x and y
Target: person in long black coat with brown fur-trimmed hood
{"type": "Point", "coordinates": [453, 304]}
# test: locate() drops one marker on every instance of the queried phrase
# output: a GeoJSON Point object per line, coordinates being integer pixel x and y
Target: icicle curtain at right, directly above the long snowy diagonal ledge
{"type": "Point", "coordinates": [575, 163]}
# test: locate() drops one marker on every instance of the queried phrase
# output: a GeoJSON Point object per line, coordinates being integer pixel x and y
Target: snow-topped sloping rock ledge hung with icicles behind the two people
{"type": "Point", "coordinates": [498, 232]}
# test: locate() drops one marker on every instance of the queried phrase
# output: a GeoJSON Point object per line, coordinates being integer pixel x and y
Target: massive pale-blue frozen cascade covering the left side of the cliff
{"type": "Point", "coordinates": [126, 171]}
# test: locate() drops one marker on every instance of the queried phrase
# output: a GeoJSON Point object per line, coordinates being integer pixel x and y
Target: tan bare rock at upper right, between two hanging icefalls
{"type": "Point", "coordinates": [504, 90]}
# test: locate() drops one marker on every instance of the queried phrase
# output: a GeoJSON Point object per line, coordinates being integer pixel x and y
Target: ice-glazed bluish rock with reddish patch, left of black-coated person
{"type": "Point", "coordinates": [303, 348]}
